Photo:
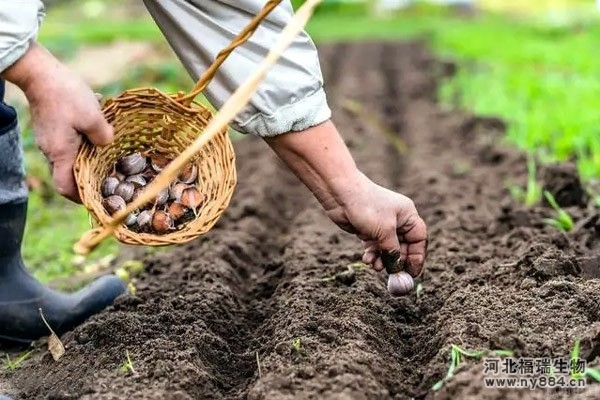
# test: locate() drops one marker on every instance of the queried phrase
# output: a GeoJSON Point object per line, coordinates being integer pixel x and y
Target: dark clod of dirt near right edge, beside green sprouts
{"type": "Point", "coordinates": [563, 182]}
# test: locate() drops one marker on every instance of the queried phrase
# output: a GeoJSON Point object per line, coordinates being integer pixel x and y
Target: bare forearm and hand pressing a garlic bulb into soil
{"type": "Point", "coordinates": [383, 219]}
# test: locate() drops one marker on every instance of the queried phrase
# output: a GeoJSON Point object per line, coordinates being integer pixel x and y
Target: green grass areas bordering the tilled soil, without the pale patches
{"type": "Point", "coordinates": [543, 79]}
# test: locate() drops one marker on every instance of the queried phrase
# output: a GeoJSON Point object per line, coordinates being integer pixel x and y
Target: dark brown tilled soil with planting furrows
{"type": "Point", "coordinates": [244, 312]}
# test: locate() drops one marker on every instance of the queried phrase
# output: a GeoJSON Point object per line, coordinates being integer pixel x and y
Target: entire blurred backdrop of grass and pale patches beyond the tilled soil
{"type": "Point", "coordinates": [531, 63]}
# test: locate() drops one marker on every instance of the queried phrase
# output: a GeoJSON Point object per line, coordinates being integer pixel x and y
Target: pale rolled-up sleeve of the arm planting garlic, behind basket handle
{"type": "Point", "coordinates": [290, 98]}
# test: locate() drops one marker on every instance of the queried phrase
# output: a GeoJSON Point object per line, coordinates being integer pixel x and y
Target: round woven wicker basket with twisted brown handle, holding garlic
{"type": "Point", "coordinates": [147, 119]}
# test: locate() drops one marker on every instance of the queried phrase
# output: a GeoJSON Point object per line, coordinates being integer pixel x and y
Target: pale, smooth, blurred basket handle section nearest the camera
{"type": "Point", "coordinates": [232, 106]}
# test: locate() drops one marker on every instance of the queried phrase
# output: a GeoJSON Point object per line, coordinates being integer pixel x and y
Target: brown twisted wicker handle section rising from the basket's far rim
{"type": "Point", "coordinates": [242, 37]}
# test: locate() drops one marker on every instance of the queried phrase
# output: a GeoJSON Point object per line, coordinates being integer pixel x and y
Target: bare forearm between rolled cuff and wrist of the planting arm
{"type": "Point", "coordinates": [321, 160]}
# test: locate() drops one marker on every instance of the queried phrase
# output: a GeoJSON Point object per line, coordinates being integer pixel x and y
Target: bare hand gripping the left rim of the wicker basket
{"type": "Point", "coordinates": [62, 107]}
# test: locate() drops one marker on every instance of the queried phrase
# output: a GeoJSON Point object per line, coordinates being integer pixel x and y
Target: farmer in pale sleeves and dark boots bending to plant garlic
{"type": "Point", "coordinates": [289, 111]}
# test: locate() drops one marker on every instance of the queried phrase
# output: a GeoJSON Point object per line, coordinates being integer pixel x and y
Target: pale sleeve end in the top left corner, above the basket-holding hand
{"type": "Point", "coordinates": [19, 25]}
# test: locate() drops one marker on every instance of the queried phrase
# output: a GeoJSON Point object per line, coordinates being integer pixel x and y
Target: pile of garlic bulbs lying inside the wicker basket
{"type": "Point", "coordinates": [171, 208]}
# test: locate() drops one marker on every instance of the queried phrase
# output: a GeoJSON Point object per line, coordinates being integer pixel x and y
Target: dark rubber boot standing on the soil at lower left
{"type": "Point", "coordinates": [21, 295]}
